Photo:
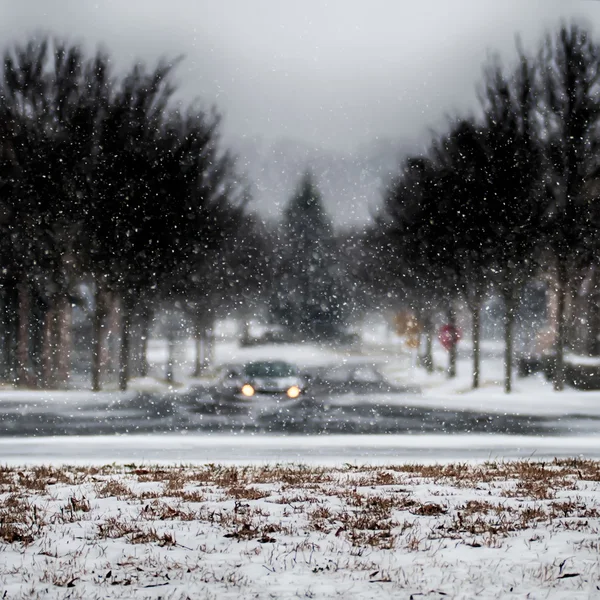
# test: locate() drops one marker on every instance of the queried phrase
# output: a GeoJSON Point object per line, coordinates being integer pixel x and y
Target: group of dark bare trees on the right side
{"type": "Point", "coordinates": [505, 195]}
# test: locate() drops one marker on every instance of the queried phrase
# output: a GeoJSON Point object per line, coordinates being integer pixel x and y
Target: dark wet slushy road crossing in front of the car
{"type": "Point", "coordinates": [198, 411]}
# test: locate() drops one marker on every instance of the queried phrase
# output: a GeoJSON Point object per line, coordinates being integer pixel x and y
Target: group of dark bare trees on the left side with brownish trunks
{"type": "Point", "coordinates": [109, 186]}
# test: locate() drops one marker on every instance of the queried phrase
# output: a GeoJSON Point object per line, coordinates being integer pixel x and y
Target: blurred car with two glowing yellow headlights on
{"type": "Point", "coordinates": [275, 379]}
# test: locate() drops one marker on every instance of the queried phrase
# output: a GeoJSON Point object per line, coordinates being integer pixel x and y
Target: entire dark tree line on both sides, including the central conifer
{"type": "Point", "coordinates": [118, 201]}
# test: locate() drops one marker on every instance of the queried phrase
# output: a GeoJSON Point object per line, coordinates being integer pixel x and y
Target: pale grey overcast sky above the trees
{"type": "Point", "coordinates": [331, 73]}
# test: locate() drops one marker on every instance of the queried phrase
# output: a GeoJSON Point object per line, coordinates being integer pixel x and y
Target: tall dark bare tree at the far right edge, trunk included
{"type": "Point", "coordinates": [569, 79]}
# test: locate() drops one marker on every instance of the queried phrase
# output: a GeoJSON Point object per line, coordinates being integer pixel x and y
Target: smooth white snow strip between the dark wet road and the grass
{"type": "Point", "coordinates": [322, 449]}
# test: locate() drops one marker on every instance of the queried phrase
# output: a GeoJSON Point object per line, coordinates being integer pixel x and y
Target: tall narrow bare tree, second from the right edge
{"type": "Point", "coordinates": [509, 101]}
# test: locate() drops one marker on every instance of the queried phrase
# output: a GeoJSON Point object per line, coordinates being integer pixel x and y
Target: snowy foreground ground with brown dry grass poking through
{"type": "Point", "coordinates": [490, 530]}
